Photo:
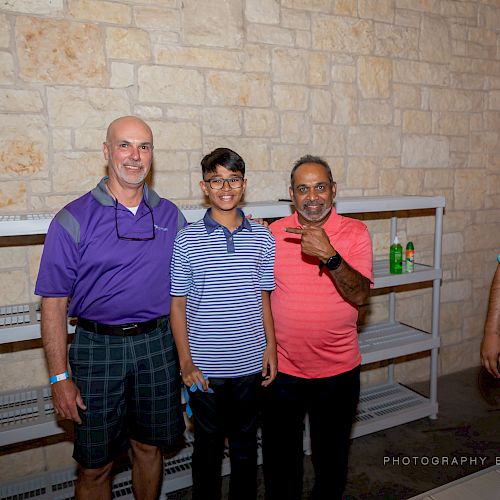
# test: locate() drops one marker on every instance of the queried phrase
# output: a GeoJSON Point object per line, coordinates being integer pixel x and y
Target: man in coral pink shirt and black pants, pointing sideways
{"type": "Point", "coordinates": [323, 271]}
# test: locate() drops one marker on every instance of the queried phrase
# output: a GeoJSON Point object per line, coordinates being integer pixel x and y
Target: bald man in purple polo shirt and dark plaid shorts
{"type": "Point", "coordinates": [107, 254]}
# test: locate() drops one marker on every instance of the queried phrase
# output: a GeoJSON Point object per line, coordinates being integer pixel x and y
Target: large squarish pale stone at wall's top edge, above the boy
{"type": "Point", "coordinates": [217, 23]}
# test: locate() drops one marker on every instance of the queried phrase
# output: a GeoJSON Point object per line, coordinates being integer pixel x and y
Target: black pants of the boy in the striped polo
{"type": "Point", "coordinates": [231, 411]}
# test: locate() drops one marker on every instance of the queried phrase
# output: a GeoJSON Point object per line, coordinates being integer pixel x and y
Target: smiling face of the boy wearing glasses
{"type": "Point", "coordinates": [228, 197]}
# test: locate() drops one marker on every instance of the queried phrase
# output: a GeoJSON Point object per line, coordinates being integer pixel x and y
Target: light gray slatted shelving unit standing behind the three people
{"type": "Point", "coordinates": [27, 415]}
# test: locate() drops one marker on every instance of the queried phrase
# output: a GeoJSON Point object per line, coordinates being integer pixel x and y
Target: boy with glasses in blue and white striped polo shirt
{"type": "Point", "coordinates": [222, 276]}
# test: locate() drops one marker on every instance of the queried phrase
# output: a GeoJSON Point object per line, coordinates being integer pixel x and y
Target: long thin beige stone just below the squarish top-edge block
{"type": "Point", "coordinates": [198, 57]}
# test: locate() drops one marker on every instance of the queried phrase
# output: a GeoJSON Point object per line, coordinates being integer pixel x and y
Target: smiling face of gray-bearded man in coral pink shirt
{"type": "Point", "coordinates": [312, 193]}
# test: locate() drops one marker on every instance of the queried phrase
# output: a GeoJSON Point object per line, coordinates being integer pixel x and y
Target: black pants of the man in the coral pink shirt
{"type": "Point", "coordinates": [331, 403]}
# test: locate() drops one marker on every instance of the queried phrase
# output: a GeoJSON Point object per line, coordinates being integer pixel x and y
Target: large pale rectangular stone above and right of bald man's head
{"type": "Point", "coordinates": [170, 85]}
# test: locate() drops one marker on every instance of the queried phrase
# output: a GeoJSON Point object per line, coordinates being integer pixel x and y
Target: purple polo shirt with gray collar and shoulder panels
{"type": "Point", "coordinates": [111, 280]}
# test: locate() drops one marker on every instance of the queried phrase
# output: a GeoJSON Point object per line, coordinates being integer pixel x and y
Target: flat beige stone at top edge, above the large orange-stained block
{"type": "Point", "coordinates": [100, 11]}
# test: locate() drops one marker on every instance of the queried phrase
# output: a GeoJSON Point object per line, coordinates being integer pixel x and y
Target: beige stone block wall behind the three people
{"type": "Point", "coordinates": [400, 96]}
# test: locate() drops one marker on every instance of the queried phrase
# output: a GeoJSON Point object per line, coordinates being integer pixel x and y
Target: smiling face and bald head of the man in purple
{"type": "Point", "coordinates": [129, 151]}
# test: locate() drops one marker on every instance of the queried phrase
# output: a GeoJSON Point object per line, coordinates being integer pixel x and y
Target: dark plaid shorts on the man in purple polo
{"type": "Point", "coordinates": [131, 387]}
